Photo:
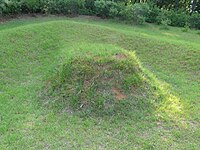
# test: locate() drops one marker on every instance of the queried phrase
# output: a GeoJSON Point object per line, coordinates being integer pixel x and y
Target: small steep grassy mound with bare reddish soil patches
{"type": "Point", "coordinates": [105, 80]}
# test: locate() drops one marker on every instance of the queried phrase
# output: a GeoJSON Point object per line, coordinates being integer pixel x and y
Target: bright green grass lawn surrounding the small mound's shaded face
{"type": "Point", "coordinates": [32, 51]}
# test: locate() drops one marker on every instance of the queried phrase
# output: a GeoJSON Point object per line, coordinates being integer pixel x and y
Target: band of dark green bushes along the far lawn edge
{"type": "Point", "coordinates": [181, 13]}
